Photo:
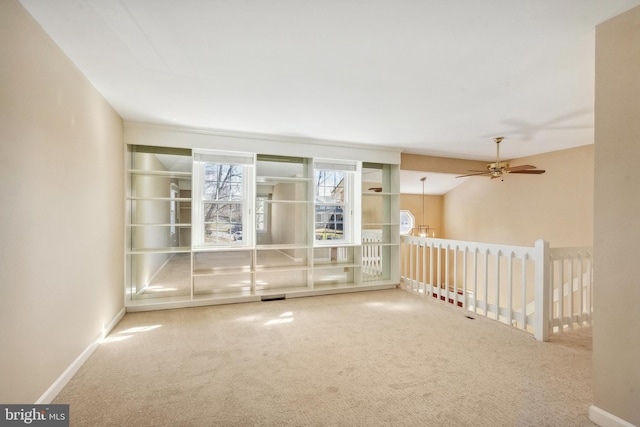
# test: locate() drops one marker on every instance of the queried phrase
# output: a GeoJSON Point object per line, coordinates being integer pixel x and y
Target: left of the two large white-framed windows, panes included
{"type": "Point", "coordinates": [222, 191]}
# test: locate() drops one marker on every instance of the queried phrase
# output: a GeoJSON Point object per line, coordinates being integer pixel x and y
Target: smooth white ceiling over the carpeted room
{"type": "Point", "coordinates": [435, 77]}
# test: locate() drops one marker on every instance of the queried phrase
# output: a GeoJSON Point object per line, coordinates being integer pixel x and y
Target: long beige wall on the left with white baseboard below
{"type": "Point", "coordinates": [61, 210]}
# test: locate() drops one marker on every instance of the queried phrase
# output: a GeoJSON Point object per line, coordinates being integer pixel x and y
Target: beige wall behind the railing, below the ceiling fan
{"type": "Point", "coordinates": [556, 206]}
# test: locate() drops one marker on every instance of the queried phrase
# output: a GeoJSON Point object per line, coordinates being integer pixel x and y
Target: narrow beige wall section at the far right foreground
{"type": "Point", "coordinates": [616, 327]}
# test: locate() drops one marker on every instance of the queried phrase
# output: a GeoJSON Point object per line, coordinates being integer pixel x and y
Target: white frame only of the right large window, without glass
{"type": "Point", "coordinates": [352, 187]}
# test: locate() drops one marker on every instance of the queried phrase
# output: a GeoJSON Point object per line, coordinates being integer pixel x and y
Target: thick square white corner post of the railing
{"type": "Point", "coordinates": [542, 291]}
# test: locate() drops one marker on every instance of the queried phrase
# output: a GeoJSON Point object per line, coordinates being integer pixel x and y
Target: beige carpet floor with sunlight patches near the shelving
{"type": "Point", "coordinates": [381, 358]}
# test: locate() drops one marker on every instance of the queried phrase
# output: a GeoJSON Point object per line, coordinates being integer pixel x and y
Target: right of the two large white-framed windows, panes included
{"type": "Point", "coordinates": [334, 187]}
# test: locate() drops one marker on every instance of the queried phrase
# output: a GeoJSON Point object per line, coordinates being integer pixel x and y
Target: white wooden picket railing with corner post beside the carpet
{"type": "Point", "coordinates": [536, 289]}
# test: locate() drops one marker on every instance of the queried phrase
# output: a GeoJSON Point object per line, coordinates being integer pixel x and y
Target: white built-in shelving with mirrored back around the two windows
{"type": "Point", "coordinates": [283, 250]}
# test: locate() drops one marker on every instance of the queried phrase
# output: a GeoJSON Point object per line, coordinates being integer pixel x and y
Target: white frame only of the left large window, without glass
{"type": "Point", "coordinates": [247, 162]}
